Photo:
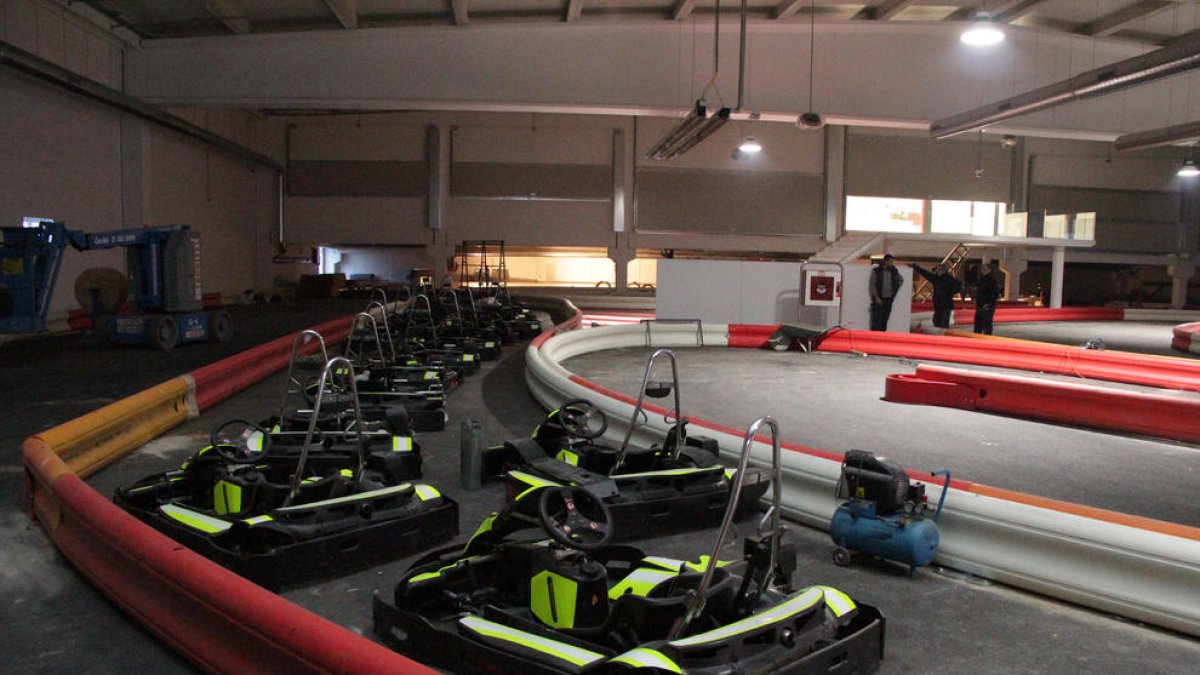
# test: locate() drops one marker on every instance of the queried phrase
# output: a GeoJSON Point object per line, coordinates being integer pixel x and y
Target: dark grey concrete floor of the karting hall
{"type": "Point", "coordinates": [939, 622]}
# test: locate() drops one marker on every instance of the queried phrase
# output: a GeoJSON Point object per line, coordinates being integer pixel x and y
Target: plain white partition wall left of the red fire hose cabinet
{"type": "Point", "coordinates": [729, 291]}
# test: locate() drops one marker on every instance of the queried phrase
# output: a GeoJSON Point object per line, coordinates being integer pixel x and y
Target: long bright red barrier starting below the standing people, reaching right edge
{"type": "Point", "coordinates": [1167, 373]}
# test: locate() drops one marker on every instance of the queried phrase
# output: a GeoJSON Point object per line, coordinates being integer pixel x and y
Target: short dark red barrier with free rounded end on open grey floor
{"type": "Point", "coordinates": [1082, 405]}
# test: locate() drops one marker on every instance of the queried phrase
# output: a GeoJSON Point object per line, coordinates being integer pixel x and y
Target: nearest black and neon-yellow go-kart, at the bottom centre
{"type": "Point", "coordinates": [567, 601]}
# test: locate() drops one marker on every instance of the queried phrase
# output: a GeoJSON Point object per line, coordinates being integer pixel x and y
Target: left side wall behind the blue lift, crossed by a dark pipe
{"type": "Point", "coordinates": [77, 160]}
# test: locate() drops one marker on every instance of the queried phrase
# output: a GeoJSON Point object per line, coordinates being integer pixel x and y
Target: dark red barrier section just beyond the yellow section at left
{"type": "Point", "coordinates": [219, 381]}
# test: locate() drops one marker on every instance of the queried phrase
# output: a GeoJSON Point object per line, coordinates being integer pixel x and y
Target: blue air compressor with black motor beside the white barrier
{"type": "Point", "coordinates": [884, 515]}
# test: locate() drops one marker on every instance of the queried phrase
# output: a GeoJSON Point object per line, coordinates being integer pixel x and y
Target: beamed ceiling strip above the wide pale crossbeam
{"type": "Point", "coordinates": [1147, 22]}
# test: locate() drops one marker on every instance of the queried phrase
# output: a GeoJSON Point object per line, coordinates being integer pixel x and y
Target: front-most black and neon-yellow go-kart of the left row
{"type": "Point", "coordinates": [285, 516]}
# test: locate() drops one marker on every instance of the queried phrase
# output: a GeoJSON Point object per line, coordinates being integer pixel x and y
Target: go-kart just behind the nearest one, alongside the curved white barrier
{"type": "Point", "coordinates": [665, 488]}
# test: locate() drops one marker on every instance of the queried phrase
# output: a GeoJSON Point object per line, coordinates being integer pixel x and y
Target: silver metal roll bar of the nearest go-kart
{"type": "Point", "coordinates": [695, 602]}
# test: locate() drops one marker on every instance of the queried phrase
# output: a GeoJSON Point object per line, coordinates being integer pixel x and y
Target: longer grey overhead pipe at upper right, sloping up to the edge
{"type": "Point", "coordinates": [1107, 80]}
